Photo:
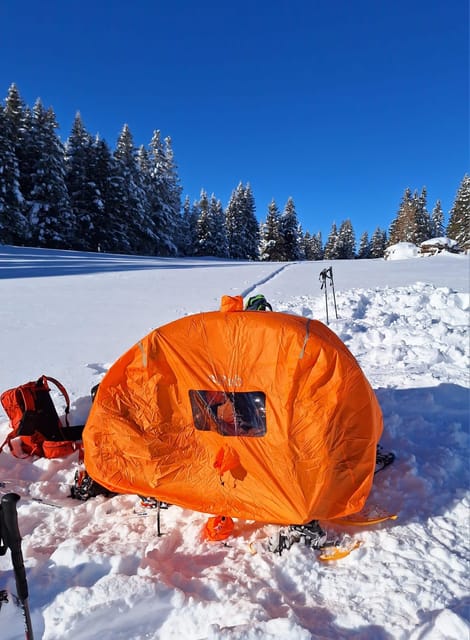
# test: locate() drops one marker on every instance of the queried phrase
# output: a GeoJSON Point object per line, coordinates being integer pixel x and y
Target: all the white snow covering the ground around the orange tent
{"type": "Point", "coordinates": [97, 571]}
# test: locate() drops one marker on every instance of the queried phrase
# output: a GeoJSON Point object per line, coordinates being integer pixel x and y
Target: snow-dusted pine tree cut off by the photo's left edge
{"type": "Point", "coordinates": [13, 227]}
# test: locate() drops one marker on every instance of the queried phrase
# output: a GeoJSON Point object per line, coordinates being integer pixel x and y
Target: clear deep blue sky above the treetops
{"type": "Point", "coordinates": [341, 104]}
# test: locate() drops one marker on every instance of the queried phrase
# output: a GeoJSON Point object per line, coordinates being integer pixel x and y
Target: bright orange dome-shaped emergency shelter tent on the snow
{"type": "Point", "coordinates": [263, 416]}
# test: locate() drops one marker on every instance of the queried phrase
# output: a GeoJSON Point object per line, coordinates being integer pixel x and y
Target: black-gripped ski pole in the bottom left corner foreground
{"type": "Point", "coordinates": [12, 539]}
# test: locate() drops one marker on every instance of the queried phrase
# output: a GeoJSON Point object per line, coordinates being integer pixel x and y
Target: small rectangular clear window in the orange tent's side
{"type": "Point", "coordinates": [229, 413]}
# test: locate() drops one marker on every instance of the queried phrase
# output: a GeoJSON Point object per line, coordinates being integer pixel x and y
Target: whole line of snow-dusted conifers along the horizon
{"type": "Point", "coordinates": [83, 195]}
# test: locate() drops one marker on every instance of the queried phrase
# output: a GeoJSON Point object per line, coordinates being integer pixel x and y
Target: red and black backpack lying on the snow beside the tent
{"type": "Point", "coordinates": [34, 420]}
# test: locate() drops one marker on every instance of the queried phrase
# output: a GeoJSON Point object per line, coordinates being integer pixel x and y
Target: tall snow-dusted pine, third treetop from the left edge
{"type": "Point", "coordinates": [50, 216]}
